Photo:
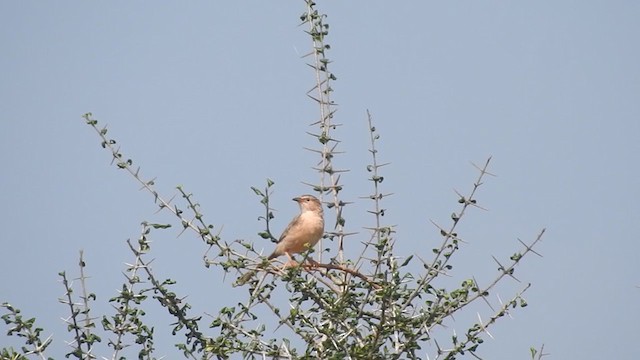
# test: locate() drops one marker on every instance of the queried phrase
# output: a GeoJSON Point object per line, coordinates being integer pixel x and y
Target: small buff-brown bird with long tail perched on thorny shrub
{"type": "Point", "coordinates": [303, 232]}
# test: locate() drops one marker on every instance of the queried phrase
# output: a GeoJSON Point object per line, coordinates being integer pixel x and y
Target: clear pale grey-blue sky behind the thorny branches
{"type": "Point", "coordinates": [212, 96]}
